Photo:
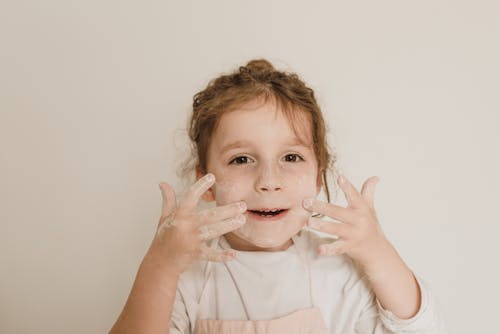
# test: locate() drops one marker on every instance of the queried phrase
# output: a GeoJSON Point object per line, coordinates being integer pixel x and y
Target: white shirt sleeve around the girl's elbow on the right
{"type": "Point", "coordinates": [428, 320]}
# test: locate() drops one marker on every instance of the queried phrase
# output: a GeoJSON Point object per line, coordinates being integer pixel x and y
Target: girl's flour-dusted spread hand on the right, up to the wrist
{"type": "Point", "coordinates": [358, 227]}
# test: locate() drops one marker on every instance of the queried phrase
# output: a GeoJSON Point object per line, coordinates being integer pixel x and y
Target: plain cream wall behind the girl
{"type": "Point", "coordinates": [94, 97]}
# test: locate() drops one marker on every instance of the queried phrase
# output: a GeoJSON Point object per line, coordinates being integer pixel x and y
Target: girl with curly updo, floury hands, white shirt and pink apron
{"type": "Point", "coordinates": [260, 261]}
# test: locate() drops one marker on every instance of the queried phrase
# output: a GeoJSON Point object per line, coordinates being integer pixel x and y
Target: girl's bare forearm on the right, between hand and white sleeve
{"type": "Point", "coordinates": [392, 281]}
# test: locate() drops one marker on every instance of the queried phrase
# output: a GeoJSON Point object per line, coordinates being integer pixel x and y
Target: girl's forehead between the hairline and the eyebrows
{"type": "Point", "coordinates": [259, 122]}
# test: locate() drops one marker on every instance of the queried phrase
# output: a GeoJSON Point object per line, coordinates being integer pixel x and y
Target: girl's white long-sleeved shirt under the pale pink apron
{"type": "Point", "coordinates": [268, 285]}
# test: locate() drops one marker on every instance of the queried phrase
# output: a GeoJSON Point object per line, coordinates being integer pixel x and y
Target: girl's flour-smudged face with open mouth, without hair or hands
{"type": "Point", "coordinates": [257, 158]}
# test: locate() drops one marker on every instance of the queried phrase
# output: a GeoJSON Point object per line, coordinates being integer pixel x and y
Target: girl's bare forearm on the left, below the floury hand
{"type": "Point", "coordinates": [149, 306]}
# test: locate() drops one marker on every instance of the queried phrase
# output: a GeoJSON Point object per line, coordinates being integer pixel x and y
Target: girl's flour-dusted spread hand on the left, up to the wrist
{"type": "Point", "coordinates": [182, 231]}
